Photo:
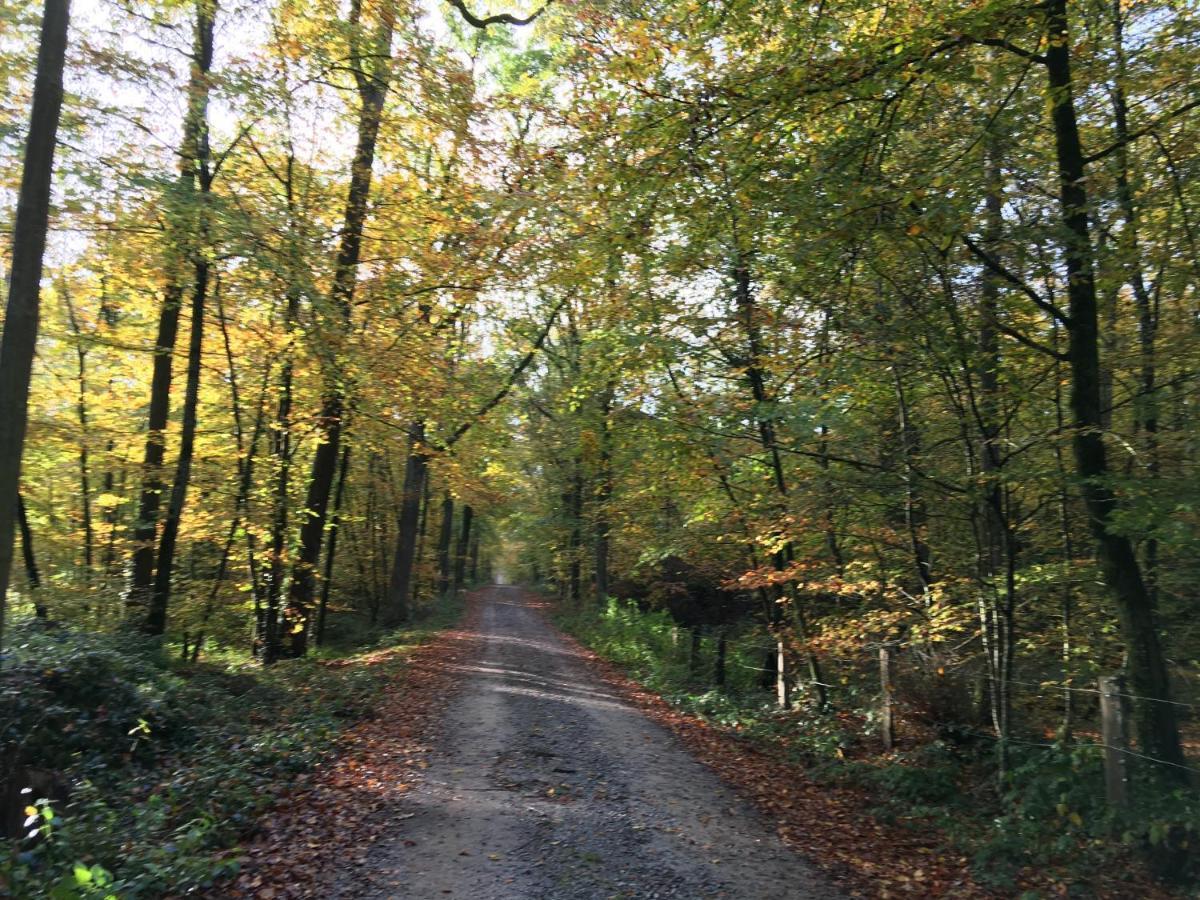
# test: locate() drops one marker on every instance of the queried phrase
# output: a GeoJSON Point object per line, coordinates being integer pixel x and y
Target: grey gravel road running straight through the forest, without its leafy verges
{"type": "Point", "coordinates": [545, 784]}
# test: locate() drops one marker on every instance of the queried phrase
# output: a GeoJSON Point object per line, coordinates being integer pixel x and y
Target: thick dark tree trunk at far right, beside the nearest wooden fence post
{"type": "Point", "coordinates": [1157, 728]}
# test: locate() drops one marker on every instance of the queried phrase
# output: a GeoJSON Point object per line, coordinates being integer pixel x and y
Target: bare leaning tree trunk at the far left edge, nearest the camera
{"type": "Point", "coordinates": [31, 226]}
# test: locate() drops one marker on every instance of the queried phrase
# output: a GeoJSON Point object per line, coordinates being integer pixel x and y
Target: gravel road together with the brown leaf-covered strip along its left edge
{"type": "Point", "coordinates": [505, 767]}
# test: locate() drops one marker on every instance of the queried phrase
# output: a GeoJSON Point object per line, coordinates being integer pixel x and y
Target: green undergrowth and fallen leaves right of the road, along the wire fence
{"type": "Point", "coordinates": [929, 815]}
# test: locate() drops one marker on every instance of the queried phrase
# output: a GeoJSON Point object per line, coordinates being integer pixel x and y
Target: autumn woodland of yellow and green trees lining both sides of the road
{"type": "Point", "coordinates": [769, 337]}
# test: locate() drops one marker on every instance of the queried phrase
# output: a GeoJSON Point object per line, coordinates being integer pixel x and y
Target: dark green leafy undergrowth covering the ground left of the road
{"type": "Point", "coordinates": [151, 770]}
